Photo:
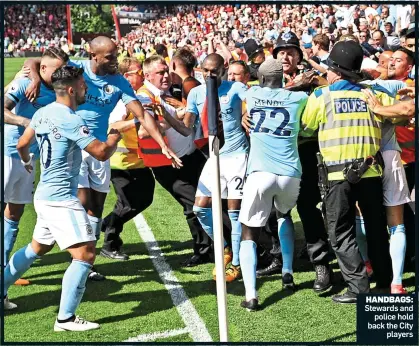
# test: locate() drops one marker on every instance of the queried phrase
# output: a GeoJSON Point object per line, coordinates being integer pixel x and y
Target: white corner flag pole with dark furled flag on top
{"type": "Point", "coordinates": [214, 146]}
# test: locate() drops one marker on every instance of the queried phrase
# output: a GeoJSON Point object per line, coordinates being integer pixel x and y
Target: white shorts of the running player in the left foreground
{"type": "Point", "coordinates": [63, 222]}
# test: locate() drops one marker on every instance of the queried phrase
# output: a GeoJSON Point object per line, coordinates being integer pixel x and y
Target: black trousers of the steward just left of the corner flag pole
{"type": "Point", "coordinates": [181, 184]}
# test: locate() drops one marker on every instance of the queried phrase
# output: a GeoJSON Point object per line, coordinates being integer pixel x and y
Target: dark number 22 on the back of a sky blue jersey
{"type": "Point", "coordinates": [266, 126]}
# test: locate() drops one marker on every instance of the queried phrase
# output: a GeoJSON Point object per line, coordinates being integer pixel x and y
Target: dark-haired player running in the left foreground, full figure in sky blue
{"type": "Point", "coordinates": [61, 135]}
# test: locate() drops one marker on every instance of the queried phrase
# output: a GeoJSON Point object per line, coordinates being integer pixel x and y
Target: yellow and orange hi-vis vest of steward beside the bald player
{"type": "Point", "coordinates": [126, 154]}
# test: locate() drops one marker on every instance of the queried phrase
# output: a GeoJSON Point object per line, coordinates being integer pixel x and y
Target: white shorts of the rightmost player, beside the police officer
{"type": "Point", "coordinates": [395, 188]}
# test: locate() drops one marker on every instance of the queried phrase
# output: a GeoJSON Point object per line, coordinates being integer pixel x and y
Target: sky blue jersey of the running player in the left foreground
{"type": "Point", "coordinates": [61, 135]}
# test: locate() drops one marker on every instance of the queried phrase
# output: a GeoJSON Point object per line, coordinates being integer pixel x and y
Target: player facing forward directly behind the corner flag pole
{"type": "Point", "coordinates": [233, 156]}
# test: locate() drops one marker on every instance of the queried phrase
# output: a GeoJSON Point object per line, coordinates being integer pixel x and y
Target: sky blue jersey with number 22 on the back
{"type": "Point", "coordinates": [275, 114]}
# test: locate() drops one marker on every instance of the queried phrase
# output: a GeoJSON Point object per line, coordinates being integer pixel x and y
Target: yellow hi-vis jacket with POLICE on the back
{"type": "Point", "coordinates": [348, 130]}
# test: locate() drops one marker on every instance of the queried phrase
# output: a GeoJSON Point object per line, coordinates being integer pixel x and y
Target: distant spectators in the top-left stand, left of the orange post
{"type": "Point", "coordinates": [34, 28]}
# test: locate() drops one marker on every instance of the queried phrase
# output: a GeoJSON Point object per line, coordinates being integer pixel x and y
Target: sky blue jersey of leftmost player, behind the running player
{"type": "Point", "coordinates": [24, 108]}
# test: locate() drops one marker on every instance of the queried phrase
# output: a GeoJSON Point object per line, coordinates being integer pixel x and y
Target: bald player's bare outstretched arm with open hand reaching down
{"type": "Point", "coordinates": [151, 127]}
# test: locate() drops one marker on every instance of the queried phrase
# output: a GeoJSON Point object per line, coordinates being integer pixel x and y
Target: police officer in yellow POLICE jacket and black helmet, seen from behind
{"type": "Point", "coordinates": [350, 153]}
